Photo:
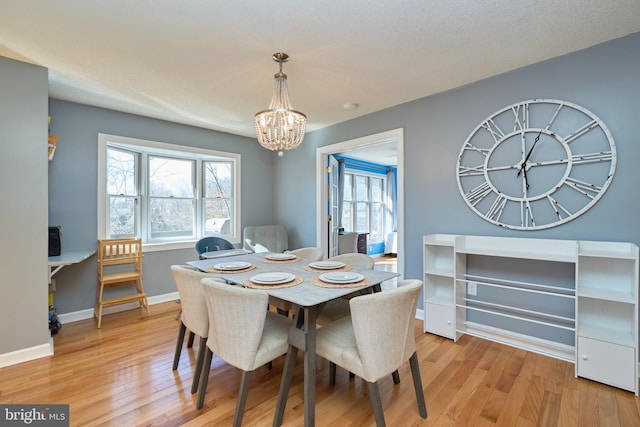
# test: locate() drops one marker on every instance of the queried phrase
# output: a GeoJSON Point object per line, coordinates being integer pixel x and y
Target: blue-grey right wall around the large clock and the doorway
{"type": "Point", "coordinates": [604, 79]}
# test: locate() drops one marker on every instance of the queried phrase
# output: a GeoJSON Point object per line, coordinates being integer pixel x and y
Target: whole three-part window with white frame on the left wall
{"type": "Point", "coordinates": [168, 195]}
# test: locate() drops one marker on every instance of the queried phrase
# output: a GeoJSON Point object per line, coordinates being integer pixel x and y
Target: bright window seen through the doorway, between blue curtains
{"type": "Point", "coordinates": [363, 204]}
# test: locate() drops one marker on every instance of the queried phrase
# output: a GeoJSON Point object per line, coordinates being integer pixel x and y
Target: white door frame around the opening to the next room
{"type": "Point", "coordinates": [322, 186]}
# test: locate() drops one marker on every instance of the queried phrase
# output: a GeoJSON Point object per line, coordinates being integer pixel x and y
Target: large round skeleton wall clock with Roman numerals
{"type": "Point", "coordinates": [536, 164]}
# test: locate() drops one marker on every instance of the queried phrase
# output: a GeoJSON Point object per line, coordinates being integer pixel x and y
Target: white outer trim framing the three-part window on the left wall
{"type": "Point", "coordinates": [161, 148]}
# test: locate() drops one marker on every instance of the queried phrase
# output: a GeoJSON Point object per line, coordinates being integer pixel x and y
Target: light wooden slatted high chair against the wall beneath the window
{"type": "Point", "coordinates": [120, 264]}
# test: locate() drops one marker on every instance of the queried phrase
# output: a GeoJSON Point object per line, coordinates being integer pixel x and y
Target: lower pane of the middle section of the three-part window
{"type": "Point", "coordinates": [171, 217]}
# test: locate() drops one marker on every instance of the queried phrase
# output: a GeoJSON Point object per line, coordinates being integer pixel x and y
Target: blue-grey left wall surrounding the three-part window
{"type": "Point", "coordinates": [73, 183]}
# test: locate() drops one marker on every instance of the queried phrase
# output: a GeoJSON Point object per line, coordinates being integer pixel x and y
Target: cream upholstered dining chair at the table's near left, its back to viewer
{"type": "Point", "coordinates": [243, 333]}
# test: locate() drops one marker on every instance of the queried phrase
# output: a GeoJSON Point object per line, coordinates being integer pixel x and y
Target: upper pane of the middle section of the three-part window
{"type": "Point", "coordinates": [170, 177]}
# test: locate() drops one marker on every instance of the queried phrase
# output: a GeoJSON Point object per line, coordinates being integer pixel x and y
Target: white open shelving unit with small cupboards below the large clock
{"type": "Point", "coordinates": [573, 300]}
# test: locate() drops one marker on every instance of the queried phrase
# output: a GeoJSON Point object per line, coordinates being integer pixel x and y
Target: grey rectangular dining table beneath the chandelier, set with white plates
{"type": "Point", "coordinates": [308, 300]}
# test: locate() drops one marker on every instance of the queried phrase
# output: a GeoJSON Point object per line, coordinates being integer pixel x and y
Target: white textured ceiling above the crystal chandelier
{"type": "Point", "coordinates": [208, 63]}
